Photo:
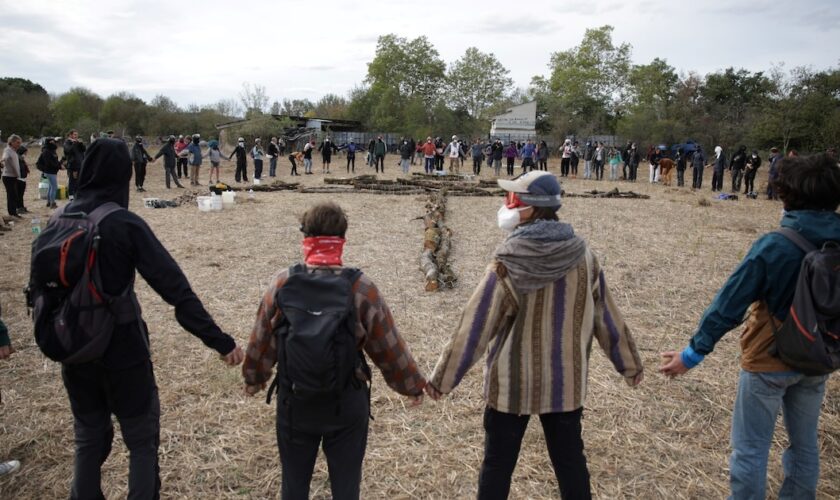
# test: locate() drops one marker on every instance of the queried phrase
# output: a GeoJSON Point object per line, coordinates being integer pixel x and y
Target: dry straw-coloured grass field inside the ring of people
{"type": "Point", "coordinates": [664, 259]}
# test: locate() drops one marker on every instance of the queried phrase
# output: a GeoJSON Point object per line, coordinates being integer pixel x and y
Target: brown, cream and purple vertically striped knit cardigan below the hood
{"type": "Point", "coordinates": [537, 344]}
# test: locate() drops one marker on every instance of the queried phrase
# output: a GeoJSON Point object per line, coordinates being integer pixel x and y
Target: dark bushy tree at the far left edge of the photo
{"type": "Point", "coordinates": [24, 107]}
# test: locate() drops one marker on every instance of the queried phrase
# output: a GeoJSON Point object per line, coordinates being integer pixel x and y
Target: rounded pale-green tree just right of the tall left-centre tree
{"type": "Point", "coordinates": [476, 81]}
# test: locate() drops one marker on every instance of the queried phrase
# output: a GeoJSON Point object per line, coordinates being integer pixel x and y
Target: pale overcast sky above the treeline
{"type": "Point", "coordinates": [200, 52]}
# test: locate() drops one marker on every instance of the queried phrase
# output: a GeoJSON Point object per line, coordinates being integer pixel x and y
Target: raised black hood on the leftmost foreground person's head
{"type": "Point", "coordinates": [105, 176]}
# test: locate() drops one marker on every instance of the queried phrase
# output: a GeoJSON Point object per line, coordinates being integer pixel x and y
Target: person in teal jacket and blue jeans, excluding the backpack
{"type": "Point", "coordinates": [762, 286]}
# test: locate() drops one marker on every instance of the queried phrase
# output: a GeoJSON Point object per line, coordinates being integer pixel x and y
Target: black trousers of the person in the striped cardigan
{"type": "Point", "coordinates": [503, 438]}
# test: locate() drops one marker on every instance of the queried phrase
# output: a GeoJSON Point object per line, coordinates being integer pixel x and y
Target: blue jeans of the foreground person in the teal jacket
{"type": "Point", "coordinates": [760, 397]}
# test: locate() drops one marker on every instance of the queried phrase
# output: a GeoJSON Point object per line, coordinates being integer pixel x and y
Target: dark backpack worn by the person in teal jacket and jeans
{"type": "Point", "coordinates": [809, 339]}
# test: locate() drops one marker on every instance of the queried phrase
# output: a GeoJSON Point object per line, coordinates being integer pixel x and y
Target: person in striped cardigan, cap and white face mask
{"type": "Point", "coordinates": [541, 302]}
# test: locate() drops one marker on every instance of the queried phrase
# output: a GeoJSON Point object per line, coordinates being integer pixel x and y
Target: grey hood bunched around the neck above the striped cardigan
{"type": "Point", "coordinates": [540, 253]}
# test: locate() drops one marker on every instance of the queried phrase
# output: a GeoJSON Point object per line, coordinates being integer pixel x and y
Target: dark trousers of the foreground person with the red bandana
{"type": "Point", "coordinates": [341, 427]}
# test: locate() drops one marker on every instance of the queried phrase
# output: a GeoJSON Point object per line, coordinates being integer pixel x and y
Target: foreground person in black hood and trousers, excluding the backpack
{"type": "Point", "coordinates": [122, 383]}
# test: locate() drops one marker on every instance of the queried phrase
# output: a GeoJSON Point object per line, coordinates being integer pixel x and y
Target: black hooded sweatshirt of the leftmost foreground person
{"type": "Point", "coordinates": [128, 244]}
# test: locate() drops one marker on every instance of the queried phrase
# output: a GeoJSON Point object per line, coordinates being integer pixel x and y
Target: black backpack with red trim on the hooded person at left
{"type": "Point", "coordinates": [74, 318]}
